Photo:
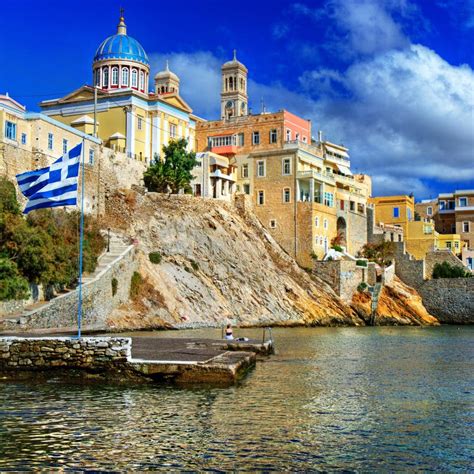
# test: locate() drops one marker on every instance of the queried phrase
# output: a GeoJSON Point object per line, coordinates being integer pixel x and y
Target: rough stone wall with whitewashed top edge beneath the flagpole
{"type": "Point", "coordinates": [88, 353]}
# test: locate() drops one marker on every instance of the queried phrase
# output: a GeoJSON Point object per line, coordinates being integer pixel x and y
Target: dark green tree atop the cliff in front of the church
{"type": "Point", "coordinates": [174, 171]}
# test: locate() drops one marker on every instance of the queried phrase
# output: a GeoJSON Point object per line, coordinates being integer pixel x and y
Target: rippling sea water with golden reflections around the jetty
{"type": "Point", "coordinates": [366, 399]}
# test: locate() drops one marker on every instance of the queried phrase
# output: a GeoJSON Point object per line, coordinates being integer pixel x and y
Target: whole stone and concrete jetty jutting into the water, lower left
{"type": "Point", "coordinates": [137, 359]}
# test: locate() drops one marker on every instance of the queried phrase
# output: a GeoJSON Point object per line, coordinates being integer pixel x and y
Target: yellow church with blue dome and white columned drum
{"type": "Point", "coordinates": [129, 118]}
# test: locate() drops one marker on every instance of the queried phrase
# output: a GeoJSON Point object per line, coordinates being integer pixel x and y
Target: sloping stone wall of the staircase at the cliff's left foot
{"type": "Point", "coordinates": [98, 300]}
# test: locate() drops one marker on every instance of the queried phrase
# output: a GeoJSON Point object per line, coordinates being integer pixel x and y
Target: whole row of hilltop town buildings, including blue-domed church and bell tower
{"type": "Point", "coordinates": [297, 182]}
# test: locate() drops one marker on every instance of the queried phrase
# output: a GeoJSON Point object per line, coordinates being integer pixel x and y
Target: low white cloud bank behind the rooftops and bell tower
{"type": "Point", "coordinates": [406, 115]}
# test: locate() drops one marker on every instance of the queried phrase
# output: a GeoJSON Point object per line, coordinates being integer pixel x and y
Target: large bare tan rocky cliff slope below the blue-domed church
{"type": "Point", "coordinates": [217, 265]}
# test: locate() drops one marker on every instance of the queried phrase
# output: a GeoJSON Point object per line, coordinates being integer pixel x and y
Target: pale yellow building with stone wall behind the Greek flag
{"type": "Point", "coordinates": [30, 141]}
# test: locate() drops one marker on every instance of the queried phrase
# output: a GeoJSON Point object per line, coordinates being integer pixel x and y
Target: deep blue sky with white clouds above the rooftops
{"type": "Point", "coordinates": [392, 80]}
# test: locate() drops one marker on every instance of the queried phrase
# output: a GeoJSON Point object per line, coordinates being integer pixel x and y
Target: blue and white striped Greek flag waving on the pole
{"type": "Point", "coordinates": [55, 185]}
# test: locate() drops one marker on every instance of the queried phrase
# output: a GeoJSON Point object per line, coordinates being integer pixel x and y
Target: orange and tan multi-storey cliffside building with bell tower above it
{"type": "Point", "coordinates": [302, 190]}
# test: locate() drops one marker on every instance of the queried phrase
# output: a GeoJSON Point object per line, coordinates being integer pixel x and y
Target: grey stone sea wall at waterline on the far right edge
{"type": "Point", "coordinates": [451, 300]}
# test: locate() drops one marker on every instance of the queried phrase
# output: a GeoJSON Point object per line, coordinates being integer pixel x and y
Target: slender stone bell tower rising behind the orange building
{"type": "Point", "coordinates": [234, 99]}
